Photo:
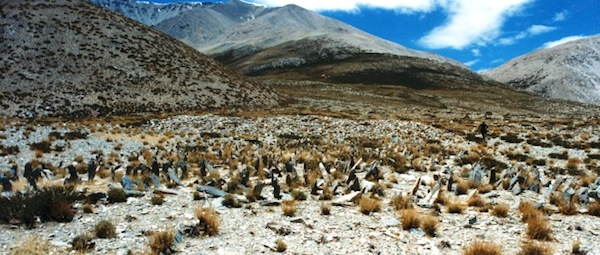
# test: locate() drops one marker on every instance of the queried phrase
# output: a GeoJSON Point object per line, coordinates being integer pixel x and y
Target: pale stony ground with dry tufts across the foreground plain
{"type": "Point", "coordinates": [406, 151]}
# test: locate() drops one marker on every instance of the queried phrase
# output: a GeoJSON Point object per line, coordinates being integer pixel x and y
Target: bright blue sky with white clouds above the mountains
{"type": "Point", "coordinates": [482, 34]}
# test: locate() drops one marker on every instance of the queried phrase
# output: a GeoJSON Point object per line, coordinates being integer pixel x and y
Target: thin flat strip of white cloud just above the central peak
{"type": "Point", "coordinates": [353, 5]}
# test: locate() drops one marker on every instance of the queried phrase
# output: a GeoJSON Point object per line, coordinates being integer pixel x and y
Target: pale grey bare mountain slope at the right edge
{"type": "Point", "coordinates": [569, 71]}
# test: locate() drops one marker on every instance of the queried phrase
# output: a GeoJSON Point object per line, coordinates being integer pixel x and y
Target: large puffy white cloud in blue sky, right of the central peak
{"type": "Point", "coordinates": [472, 22]}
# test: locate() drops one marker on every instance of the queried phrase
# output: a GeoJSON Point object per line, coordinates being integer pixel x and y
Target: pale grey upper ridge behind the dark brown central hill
{"type": "Point", "coordinates": [215, 28]}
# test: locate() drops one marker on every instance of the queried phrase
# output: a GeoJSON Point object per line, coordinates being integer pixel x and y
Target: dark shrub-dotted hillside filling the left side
{"type": "Point", "coordinates": [73, 58]}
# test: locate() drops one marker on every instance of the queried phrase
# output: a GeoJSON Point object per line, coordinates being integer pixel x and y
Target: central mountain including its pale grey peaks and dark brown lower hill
{"type": "Point", "coordinates": [293, 43]}
